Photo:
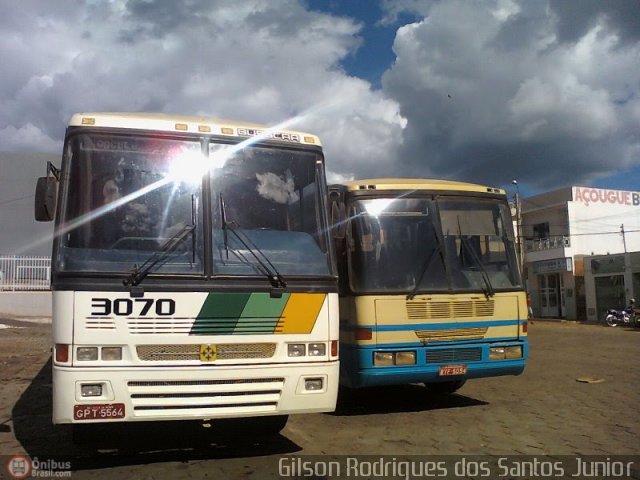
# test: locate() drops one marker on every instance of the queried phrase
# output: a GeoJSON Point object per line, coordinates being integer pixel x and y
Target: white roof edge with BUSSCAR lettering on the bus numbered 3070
{"type": "Point", "coordinates": [167, 122]}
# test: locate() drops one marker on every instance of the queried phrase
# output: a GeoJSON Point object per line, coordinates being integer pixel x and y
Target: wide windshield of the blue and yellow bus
{"type": "Point", "coordinates": [421, 245]}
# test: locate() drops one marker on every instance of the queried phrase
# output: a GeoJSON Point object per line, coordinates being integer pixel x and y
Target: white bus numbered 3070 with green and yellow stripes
{"type": "Point", "coordinates": [192, 272]}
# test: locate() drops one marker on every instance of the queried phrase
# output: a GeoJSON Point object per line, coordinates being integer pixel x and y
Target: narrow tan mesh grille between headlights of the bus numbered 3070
{"type": "Point", "coordinates": [233, 351]}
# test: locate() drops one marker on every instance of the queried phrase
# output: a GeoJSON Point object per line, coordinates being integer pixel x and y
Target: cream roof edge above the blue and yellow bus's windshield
{"type": "Point", "coordinates": [418, 184]}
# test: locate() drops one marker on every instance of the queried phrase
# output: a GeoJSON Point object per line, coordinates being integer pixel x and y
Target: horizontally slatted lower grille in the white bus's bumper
{"type": "Point", "coordinates": [203, 398]}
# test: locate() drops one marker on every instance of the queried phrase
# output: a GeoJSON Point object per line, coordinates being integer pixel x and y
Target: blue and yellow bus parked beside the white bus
{"type": "Point", "coordinates": [430, 288]}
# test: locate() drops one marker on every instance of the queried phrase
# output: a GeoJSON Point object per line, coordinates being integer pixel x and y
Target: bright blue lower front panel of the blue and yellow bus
{"type": "Point", "coordinates": [357, 369]}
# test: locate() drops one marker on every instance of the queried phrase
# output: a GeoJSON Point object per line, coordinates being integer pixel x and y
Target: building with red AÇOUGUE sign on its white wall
{"type": "Point", "coordinates": [564, 233]}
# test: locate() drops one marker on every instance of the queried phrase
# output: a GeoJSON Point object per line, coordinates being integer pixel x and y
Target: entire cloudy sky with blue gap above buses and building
{"type": "Point", "coordinates": [545, 91]}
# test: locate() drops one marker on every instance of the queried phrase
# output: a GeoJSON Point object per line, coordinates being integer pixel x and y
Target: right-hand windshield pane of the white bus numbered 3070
{"type": "Point", "coordinates": [271, 199]}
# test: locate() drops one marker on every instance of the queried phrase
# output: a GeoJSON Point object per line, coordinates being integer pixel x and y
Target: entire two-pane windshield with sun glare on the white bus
{"type": "Point", "coordinates": [126, 197]}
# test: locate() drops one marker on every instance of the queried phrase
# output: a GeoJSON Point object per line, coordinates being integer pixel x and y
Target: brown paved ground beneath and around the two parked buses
{"type": "Point", "coordinates": [545, 411]}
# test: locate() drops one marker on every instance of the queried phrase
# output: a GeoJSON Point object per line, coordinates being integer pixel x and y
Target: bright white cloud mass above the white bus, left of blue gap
{"type": "Point", "coordinates": [251, 60]}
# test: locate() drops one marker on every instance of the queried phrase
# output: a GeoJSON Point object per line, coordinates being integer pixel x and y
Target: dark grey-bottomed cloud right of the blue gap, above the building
{"type": "Point", "coordinates": [490, 92]}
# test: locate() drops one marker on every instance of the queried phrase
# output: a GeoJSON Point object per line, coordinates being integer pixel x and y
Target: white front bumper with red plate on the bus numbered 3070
{"type": "Point", "coordinates": [181, 393]}
